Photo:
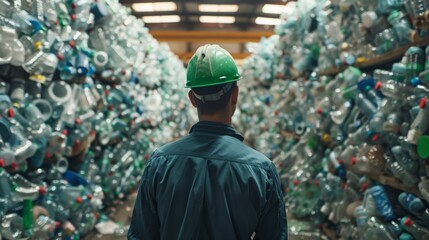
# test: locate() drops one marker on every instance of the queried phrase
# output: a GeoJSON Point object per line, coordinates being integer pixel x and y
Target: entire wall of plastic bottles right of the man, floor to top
{"type": "Point", "coordinates": [352, 149]}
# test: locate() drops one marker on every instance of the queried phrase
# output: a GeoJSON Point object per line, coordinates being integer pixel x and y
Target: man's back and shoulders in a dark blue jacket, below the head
{"type": "Point", "coordinates": [209, 185]}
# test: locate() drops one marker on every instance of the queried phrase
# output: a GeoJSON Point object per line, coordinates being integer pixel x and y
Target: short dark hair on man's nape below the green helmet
{"type": "Point", "coordinates": [211, 107]}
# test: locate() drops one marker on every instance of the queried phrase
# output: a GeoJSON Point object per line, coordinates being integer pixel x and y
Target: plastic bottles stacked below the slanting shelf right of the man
{"type": "Point", "coordinates": [351, 150]}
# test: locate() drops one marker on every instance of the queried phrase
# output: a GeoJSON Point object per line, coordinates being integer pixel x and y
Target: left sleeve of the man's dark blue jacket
{"type": "Point", "coordinates": [144, 221]}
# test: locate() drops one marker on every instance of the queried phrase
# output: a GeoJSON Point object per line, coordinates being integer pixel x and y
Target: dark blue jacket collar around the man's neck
{"type": "Point", "coordinates": [215, 128]}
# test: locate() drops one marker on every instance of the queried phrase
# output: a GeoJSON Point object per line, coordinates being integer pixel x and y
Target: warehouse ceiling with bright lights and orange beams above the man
{"type": "Point", "coordinates": [185, 24]}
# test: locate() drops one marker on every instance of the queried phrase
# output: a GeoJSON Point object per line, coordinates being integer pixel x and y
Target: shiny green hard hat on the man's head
{"type": "Point", "coordinates": [211, 65]}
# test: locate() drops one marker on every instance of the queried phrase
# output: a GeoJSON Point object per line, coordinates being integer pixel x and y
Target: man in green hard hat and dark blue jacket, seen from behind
{"type": "Point", "coordinates": [209, 185]}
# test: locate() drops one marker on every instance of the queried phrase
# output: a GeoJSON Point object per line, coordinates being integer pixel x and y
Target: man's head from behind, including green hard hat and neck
{"type": "Point", "coordinates": [212, 76]}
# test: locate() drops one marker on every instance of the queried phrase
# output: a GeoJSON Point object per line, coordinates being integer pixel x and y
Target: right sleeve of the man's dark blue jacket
{"type": "Point", "coordinates": [273, 223]}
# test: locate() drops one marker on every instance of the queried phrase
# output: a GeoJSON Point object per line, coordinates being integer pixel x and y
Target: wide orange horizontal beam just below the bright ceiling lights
{"type": "Point", "coordinates": [210, 37]}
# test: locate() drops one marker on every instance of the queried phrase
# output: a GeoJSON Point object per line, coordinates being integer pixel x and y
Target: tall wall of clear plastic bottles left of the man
{"type": "Point", "coordinates": [86, 94]}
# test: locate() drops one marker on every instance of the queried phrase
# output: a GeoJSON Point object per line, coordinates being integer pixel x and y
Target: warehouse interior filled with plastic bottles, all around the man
{"type": "Point", "coordinates": [333, 92]}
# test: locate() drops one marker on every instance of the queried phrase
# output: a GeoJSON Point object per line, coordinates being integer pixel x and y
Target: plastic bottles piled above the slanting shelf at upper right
{"type": "Point", "coordinates": [335, 34]}
